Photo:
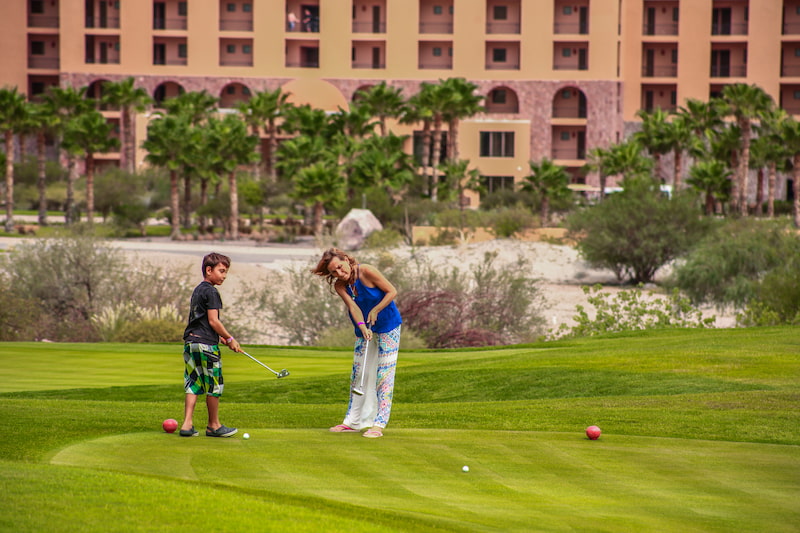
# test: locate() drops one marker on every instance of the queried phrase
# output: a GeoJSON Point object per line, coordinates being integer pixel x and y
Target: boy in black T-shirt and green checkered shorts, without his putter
{"type": "Point", "coordinates": [201, 354]}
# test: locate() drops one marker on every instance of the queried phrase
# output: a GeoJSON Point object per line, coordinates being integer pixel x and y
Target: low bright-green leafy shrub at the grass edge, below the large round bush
{"type": "Point", "coordinates": [629, 310]}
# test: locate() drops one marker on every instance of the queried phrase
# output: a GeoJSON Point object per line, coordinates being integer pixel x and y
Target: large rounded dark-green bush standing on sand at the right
{"type": "Point", "coordinates": [637, 231]}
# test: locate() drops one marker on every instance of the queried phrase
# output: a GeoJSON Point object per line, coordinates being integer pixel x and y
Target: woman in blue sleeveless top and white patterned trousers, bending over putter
{"type": "Point", "coordinates": [369, 299]}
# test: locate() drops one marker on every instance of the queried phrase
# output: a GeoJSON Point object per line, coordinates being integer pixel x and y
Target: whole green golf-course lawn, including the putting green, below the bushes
{"type": "Point", "coordinates": [699, 434]}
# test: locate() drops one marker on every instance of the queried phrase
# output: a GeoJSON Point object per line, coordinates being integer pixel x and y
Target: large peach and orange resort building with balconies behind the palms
{"type": "Point", "coordinates": [559, 77]}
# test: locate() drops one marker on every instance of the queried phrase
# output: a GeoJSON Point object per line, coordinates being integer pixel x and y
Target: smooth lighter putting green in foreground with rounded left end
{"type": "Point", "coordinates": [517, 480]}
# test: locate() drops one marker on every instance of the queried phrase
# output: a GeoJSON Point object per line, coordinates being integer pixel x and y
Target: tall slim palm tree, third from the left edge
{"type": "Point", "coordinates": [66, 103]}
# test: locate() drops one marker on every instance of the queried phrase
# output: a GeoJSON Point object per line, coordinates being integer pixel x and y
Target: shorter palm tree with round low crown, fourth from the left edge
{"type": "Point", "coordinates": [86, 135]}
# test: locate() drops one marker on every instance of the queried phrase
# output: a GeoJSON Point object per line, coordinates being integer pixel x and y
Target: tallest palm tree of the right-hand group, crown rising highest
{"type": "Point", "coordinates": [746, 103]}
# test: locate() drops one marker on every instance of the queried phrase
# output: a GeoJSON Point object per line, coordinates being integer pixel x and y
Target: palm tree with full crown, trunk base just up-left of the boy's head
{"type": "Point", "coordinates": [166, 140]}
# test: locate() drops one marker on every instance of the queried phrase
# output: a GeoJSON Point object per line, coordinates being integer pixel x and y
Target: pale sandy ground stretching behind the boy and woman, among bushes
{"type": "Point", "coordinates": [561, 271]}
